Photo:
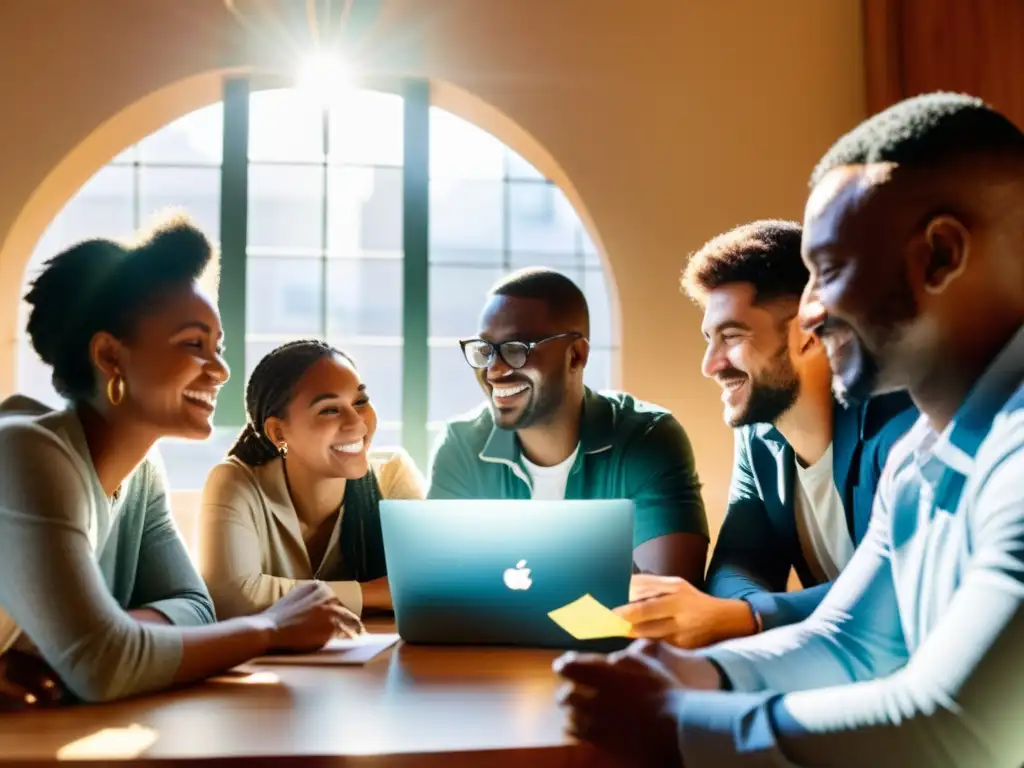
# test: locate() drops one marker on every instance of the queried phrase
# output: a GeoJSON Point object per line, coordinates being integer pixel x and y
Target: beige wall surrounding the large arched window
{"type": "Point", "coordinates": [667, 120]}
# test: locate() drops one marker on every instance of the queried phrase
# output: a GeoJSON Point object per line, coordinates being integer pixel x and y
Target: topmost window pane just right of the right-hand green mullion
{"type": "Point", "coordinates": [460, 150]}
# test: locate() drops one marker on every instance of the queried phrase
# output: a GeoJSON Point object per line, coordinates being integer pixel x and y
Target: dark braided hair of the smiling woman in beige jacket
{"type": "Point", "coordinates": [270, 392]}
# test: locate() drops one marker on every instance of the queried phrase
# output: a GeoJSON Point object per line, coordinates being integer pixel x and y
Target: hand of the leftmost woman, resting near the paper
{"type": "Point", "coordinates": [308, 617]}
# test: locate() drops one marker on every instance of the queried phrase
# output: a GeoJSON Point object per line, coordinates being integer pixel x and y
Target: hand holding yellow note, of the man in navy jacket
{"type": "Point", "coordinates": [672, 610]}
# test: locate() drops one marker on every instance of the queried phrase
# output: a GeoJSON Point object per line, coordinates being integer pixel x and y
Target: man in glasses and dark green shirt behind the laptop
{"type": "Point", "coordinates": [543, 435]}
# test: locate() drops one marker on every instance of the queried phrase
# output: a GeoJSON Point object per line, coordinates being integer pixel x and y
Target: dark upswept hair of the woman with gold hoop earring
{"type": "Point", "coordinates": [104, 285]}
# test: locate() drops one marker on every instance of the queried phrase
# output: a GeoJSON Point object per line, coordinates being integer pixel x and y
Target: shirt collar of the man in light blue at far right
{"type": "Point", "coordinates": [959, 443]}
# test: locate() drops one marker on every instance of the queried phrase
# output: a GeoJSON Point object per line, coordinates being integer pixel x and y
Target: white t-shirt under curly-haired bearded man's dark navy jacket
{"type": "Point", "coordinates": [822, 528]}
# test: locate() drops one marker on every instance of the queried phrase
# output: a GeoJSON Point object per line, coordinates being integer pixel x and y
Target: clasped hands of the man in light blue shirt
{"type": "Point", "coordinates": [622, 703]}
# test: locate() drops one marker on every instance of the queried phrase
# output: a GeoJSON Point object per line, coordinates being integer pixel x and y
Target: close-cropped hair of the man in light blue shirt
{"type": "Point", "coordinates": [925, 131]}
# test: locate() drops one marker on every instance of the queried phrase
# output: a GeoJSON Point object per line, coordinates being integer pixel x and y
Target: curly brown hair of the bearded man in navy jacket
{"type": "Point", "coordinates": [764, 254]}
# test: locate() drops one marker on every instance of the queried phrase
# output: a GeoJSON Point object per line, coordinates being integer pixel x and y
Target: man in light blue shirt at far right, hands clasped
{"type": "Point", "coordinates": [914, 235]}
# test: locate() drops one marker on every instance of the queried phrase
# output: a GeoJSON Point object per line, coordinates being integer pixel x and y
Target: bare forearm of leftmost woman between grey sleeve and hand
{"type": "Point", "coordinates": [208, 651]}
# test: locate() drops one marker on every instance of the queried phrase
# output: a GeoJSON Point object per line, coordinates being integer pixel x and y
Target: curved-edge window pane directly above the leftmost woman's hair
{"type": "Point", "coordinates": [103, 208]}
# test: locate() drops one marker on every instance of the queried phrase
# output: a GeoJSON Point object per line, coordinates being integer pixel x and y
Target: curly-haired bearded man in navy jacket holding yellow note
{"type": "Point", "coordinates": [805, 467]}
